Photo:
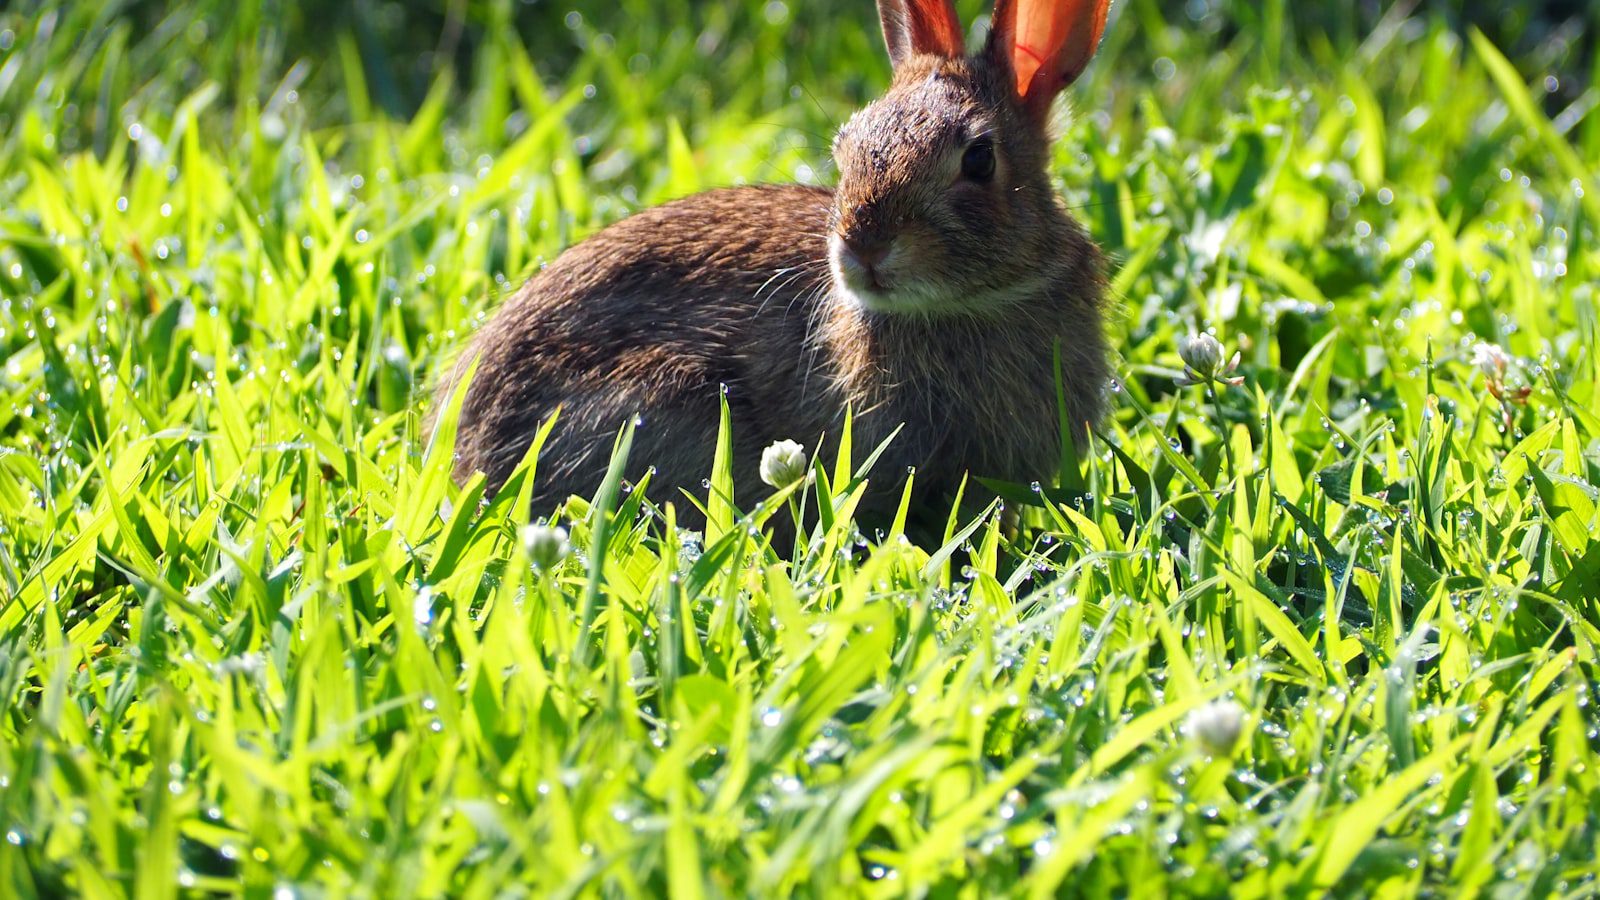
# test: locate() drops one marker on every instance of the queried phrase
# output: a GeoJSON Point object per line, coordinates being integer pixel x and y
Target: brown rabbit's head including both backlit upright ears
{"type": "Point", "coordinates": [945, 203]}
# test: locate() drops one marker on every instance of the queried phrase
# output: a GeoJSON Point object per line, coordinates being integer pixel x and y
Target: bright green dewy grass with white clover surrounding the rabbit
{"type": "Point", "coordinates": [254, 640]}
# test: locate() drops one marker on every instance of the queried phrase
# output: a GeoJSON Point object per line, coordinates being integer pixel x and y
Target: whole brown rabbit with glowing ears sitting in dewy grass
{"type": "Point", "coordinates": [930, 289]}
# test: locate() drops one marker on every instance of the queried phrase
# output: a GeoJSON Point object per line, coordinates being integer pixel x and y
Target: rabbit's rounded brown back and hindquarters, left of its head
{"type": "Point", "coordinates": [654, 318]}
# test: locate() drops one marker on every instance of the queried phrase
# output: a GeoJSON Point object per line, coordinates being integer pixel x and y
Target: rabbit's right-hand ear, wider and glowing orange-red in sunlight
{"type": "Point", "coordinates": [1047, 44]}
